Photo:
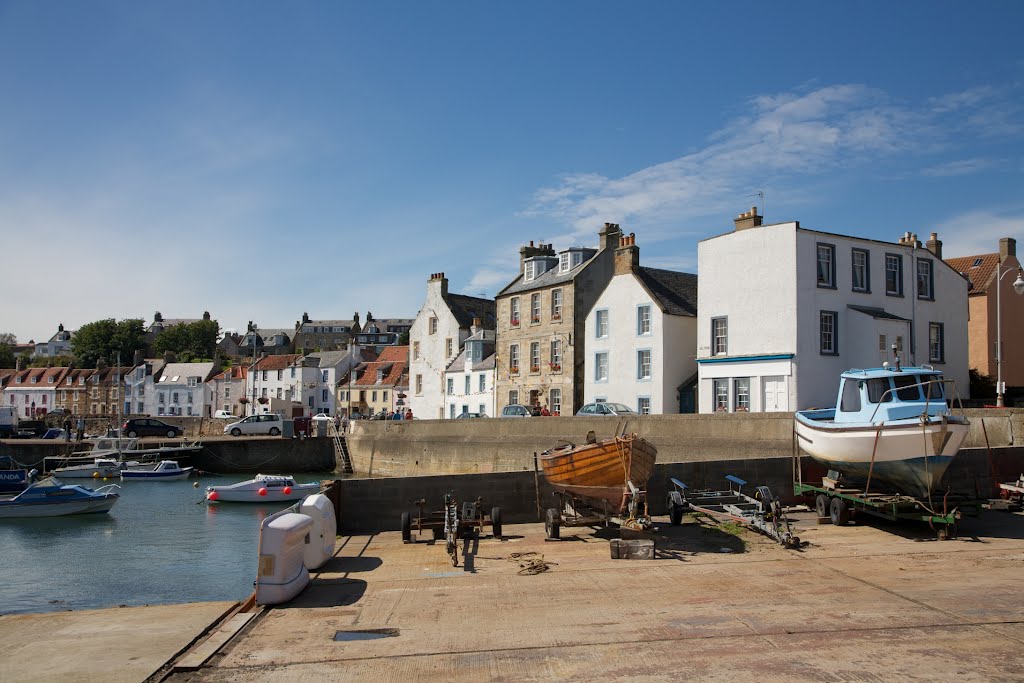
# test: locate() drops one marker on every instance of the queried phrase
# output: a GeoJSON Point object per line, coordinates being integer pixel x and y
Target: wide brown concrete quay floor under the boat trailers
{"type": "Point", "coordinates": [861, 604]}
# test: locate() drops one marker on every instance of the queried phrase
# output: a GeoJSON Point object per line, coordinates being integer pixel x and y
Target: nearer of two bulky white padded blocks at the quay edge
{"type": "Point", "coordinates": [283, 541]}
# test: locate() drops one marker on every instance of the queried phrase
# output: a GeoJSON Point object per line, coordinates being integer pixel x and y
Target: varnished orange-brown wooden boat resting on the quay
{"type": "Point", "coordinates": [601, 472]}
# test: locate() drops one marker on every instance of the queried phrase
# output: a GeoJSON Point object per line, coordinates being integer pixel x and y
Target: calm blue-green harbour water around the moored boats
{"type": "Point", "coordinates": [160, 544]}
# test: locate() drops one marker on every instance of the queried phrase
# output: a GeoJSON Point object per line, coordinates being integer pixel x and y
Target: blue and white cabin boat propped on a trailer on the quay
{"type": "Point", "coordinates": [891, 426]}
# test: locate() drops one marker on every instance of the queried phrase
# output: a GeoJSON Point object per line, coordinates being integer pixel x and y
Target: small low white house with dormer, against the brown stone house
{"type": "Point", "coordinates": [470, 381]}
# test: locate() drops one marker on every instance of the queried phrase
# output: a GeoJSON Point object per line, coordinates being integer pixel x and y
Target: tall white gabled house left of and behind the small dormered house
{"type": "Point", "coordinates": [437, 338]}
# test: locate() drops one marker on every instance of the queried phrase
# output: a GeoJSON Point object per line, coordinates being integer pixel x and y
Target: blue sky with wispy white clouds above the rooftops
{"type": "Point", "coordinates": [259, 160]}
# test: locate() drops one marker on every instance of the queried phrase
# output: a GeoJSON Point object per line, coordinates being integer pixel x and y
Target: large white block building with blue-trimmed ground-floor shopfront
{"type": "Point", "coordinates": [785, 310]}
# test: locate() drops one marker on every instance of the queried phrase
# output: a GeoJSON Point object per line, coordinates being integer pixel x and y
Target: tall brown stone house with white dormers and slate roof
{"type": "Point", "coordinates": [541, 350]}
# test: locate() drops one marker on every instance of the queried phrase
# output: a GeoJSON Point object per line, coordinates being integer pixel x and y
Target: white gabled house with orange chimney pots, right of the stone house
{"type": "Point", "coordinates": [642, 337]}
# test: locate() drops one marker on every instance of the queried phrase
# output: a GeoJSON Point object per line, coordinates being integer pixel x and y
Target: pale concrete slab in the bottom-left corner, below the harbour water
{"type": "Point", "coordinates": [110, 646]}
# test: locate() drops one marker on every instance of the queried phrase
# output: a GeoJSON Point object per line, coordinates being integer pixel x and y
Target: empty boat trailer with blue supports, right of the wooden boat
{"type": "Point", "coordinates": [762, 511]}
